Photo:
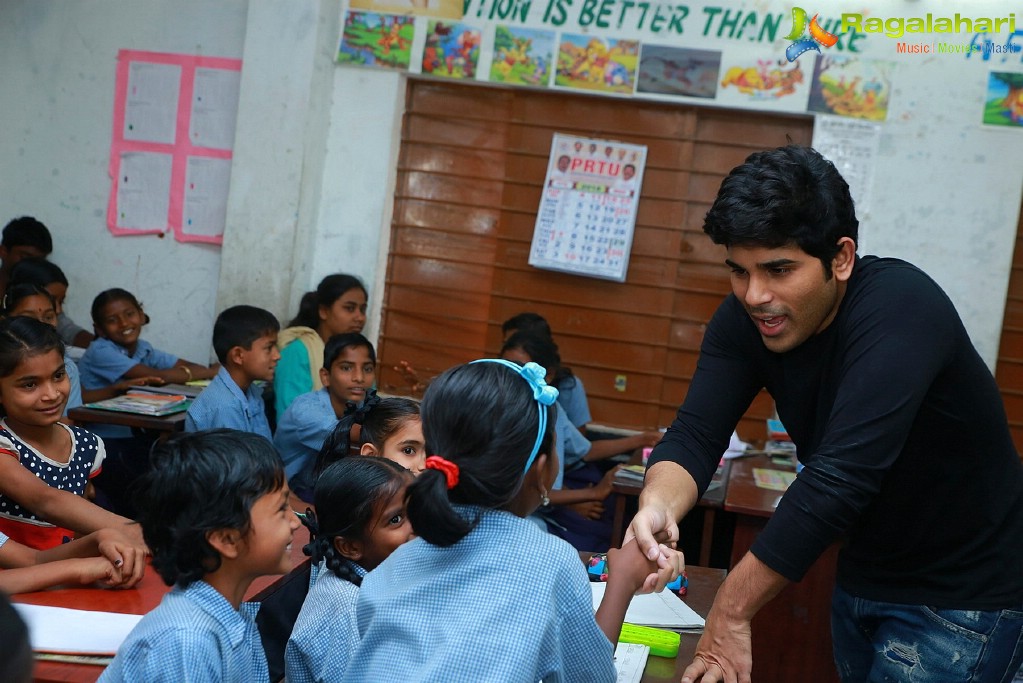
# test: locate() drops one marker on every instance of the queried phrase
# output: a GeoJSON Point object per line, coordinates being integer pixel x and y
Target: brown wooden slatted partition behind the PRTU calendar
{"type": "Point", "coordinates": [471, 172]}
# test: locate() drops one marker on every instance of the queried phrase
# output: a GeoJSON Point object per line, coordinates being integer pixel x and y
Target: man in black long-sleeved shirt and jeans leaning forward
{"type": "Point", "coordinates": [907, 452]}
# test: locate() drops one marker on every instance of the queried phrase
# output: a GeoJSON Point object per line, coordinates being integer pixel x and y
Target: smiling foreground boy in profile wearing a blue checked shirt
{"type": "Point", "coordinates": [215, 512]}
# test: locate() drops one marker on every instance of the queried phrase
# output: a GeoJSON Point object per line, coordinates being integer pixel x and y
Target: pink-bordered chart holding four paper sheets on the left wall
{"type": "Point", "coordinates": [174, 119]}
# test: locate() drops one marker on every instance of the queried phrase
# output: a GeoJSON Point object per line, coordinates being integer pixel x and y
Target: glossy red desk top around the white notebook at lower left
{"type": "Point", "coordinates": [139, 601]}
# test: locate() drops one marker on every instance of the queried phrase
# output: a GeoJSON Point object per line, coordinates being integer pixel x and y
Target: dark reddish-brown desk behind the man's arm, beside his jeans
{"type": "Point", "coordinates": [792, 633]}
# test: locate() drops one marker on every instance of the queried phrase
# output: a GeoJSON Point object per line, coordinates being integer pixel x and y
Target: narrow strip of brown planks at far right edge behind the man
{"type": "Point", "coordinates": [1009, 369]}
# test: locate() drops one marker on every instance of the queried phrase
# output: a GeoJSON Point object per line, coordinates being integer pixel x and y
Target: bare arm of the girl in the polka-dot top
{"type": "Point", "coordinates": [62, 508]}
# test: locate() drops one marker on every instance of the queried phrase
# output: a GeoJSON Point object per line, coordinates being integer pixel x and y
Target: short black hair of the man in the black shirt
{"type": "Point", "coordinates": [784, 197]}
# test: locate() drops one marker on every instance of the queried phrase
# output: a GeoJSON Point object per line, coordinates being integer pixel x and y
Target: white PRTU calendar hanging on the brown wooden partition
{"type": "Point", "coordinates": [589, 209]}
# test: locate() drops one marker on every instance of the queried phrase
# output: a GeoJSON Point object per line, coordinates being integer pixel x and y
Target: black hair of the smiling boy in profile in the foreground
{"type": "Point", "coordinates": [200, 483]}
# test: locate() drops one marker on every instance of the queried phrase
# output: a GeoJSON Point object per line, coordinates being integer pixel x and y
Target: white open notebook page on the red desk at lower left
{"type": "Point", "coordinates": [77, 631]}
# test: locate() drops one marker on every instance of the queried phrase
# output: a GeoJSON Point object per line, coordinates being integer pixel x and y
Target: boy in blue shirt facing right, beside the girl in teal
{"type": "Point", "coordinates": [245, 339]}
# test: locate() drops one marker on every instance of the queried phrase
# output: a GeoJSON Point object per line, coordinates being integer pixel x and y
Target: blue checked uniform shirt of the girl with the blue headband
{"type": "Point", "coordinates": [509, 603]}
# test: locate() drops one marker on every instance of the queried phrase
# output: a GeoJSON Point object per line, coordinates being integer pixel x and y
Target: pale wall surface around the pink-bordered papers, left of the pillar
{"type": "Point", "coordinates": [58, 61]}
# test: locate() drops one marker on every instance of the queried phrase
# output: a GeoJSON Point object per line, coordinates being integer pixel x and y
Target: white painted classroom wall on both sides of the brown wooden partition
{"type": "Point", "coordinates": [317, 151]}
